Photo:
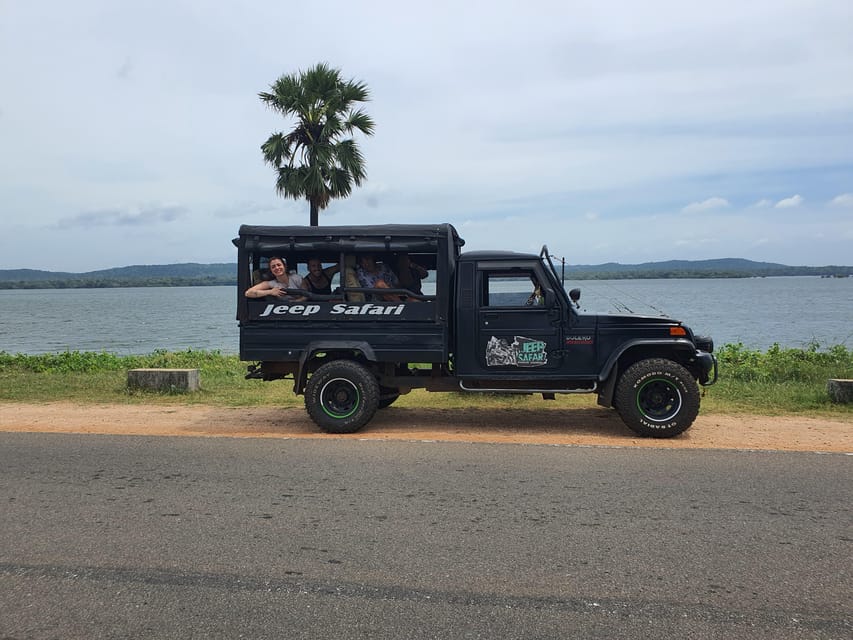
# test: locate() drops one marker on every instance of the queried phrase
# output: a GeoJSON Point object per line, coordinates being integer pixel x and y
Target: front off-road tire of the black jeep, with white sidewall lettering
{"type": "Point", "coordinates": [657, 398]}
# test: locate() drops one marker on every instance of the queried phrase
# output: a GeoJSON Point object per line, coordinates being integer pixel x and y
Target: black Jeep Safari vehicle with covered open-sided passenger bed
{"type": "Point", "coordinates": [489, 321]}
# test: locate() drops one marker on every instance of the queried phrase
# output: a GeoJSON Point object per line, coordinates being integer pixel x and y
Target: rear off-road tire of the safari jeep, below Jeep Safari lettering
{"type": "Point", "coordinates": [341, 396]}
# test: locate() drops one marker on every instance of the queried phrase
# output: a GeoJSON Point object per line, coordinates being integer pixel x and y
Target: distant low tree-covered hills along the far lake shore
{"type": "Point", "coordinates": [224, 273]}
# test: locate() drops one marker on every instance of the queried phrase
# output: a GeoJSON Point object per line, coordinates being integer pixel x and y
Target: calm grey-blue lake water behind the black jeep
{"type": "Point", "coordinates": [792, 311]}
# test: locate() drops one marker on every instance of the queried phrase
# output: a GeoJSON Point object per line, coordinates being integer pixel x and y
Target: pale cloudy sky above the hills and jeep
{"type": "Point", "coordinates": [618, 131]}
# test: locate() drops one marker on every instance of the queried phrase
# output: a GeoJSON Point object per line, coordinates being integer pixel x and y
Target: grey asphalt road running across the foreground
{"type": "Point", "coordinates": [136, 537]}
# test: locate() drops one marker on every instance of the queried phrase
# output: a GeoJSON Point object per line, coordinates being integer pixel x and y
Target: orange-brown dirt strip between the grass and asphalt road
{"type": "Point", "coordinates": [584, 427]}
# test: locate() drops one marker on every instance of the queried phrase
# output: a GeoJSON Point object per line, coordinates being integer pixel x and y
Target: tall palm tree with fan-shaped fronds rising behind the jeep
{"type": "Point", "coordinates": [317, 160]}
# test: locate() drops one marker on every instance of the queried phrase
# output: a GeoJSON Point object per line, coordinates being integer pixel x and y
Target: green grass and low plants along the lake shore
{"type": "Point", "coordinates": [776, 381]}
